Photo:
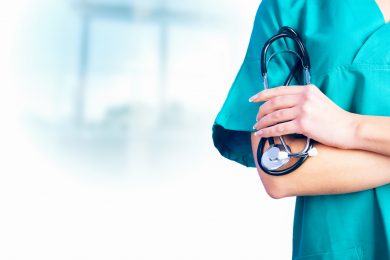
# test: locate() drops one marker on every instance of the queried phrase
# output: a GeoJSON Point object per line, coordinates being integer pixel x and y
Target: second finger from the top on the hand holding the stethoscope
{"type": "Point", "coordinates": [278, 103]}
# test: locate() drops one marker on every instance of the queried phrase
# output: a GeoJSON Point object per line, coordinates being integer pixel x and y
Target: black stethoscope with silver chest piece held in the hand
{"type": "Point", "coordinates": [278, 155]}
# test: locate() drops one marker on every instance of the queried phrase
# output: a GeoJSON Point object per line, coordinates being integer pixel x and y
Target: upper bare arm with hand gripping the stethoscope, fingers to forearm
{"type": "Point", "coordinates": [306, 110]}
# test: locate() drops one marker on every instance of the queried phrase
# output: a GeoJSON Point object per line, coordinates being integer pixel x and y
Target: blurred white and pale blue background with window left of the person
{"type": "Point", "coordinates": [106, 150]}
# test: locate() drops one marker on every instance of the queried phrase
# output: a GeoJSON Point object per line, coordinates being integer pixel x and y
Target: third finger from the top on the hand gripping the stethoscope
{"type": "Point", "coordinates": [277, 117]}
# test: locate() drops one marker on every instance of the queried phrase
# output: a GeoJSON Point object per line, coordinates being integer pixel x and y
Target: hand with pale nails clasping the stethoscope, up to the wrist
{"type": "Point", "coordinates": [304, 110]}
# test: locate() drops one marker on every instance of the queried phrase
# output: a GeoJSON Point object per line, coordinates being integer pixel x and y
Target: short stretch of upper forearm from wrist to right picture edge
{"type": "Point", "coordinates": [373, 134]}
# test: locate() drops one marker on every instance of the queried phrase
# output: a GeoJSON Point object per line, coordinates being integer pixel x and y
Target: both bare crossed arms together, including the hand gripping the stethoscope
{"type": "Point", "coordinates": [352, 158]}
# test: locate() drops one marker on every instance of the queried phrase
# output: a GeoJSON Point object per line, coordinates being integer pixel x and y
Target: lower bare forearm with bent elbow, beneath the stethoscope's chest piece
{"type": "Point", "coordinates": [333, 171]}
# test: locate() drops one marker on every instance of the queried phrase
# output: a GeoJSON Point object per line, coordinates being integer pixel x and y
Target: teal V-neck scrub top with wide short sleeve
{"type": "Point", "coordinates": [349, 45]}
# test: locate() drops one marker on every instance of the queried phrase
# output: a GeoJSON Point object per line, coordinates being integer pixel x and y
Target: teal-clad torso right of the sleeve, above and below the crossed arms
{"type": "Point", "coordinates": [357, 72]}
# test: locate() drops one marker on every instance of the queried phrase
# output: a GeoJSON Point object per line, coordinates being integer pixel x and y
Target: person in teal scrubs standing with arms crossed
{"type": "Point", "coordinates": [342, 195]}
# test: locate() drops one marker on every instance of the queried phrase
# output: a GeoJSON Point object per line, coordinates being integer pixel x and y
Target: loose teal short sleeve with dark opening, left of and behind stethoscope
{"type": "Point", "coordinates": [234, 123]}
